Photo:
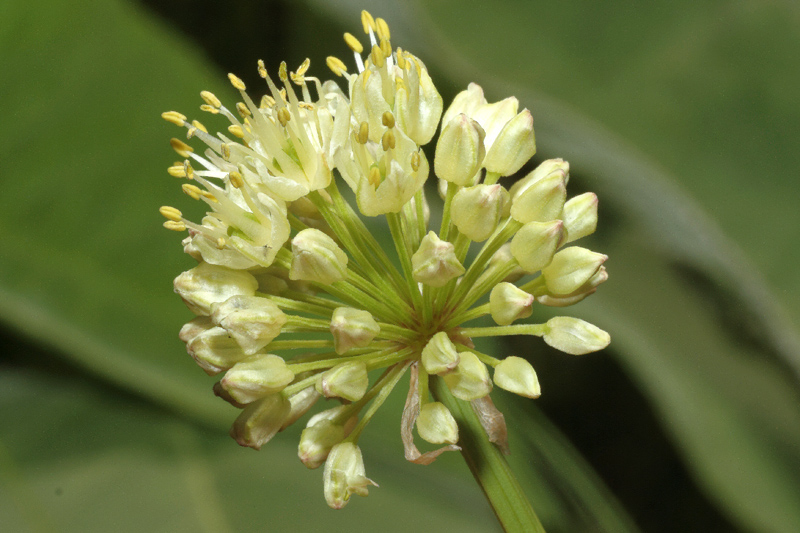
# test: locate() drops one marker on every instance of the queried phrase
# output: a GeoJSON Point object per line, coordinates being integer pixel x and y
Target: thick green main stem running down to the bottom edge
{"type": "Point", "coordinates": [489, 467]}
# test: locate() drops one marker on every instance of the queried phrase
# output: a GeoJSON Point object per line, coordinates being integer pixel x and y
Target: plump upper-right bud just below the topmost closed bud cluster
{"type": "Point", "coordinates": [540, 195]}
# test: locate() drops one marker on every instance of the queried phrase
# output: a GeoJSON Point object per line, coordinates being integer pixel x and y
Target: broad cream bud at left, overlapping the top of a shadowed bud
{"type": "Point", "coordinates": [252, 321]}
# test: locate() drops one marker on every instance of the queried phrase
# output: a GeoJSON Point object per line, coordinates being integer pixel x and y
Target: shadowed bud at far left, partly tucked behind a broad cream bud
{"type": "Point", "coordinates": [210, 346]}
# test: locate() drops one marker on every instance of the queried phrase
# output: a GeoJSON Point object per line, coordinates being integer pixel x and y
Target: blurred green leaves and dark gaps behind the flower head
{"type": "Point", "coordinates": [683, 117]}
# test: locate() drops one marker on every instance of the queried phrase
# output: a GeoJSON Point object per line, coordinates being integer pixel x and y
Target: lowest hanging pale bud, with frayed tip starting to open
{"type": "Point", "coordinates": [344, 475]}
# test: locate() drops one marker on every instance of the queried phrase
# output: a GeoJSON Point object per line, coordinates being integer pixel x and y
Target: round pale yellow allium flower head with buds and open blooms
{"type": "Point", "coordinates": [295, 297]}
